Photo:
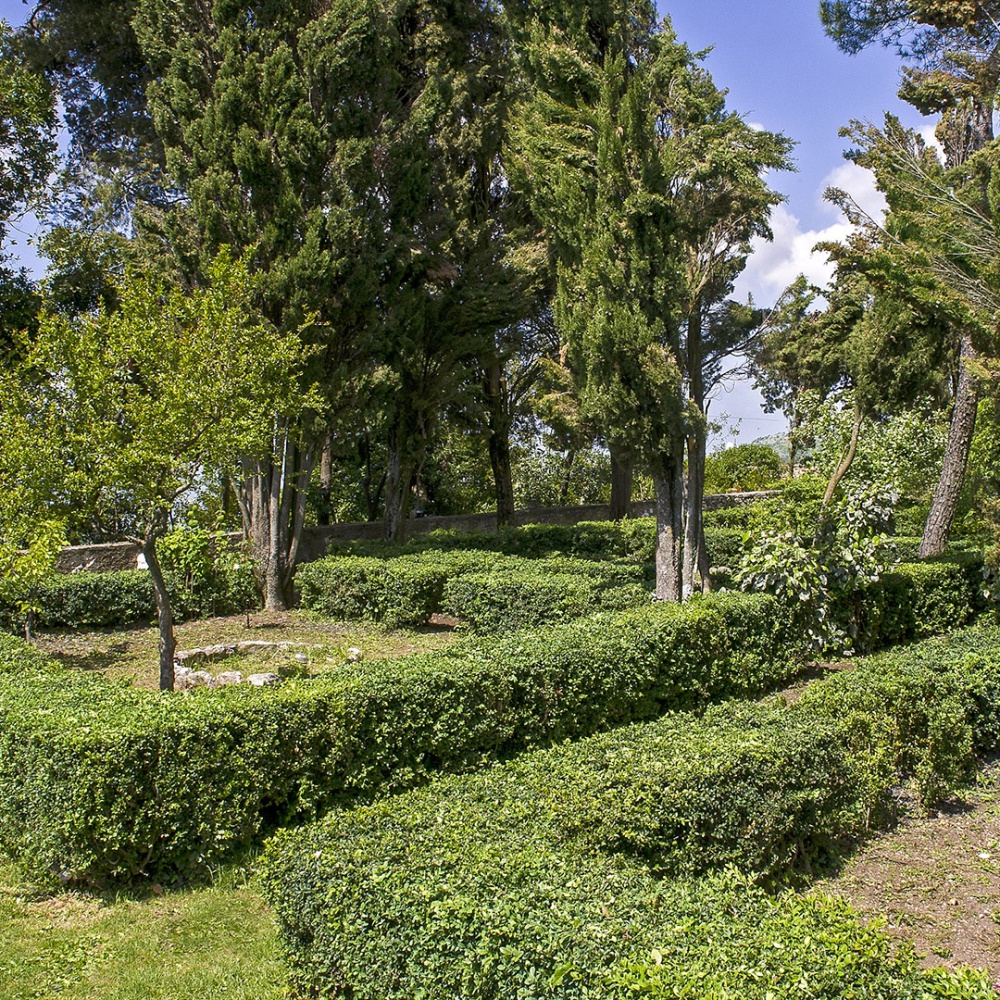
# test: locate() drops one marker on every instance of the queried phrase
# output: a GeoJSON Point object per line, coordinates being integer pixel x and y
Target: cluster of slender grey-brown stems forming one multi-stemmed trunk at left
{"type": "Point", "coordinates": [272, 499]}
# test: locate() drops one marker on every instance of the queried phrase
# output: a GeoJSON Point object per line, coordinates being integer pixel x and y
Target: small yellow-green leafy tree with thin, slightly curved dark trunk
{"type": "Point", "coordinates": [143, 401]}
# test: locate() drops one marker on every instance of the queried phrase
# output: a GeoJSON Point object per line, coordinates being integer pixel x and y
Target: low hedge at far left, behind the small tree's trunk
{"type": "Point", "coordinates": [105, 599]}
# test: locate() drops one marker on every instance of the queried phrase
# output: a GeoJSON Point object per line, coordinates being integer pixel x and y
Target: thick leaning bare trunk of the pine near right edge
{"type": "Point", "coordinates": [956, 457]}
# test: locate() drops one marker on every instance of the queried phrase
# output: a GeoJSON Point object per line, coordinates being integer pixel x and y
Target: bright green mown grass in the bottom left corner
{"type": "Point", "coordinates": [219, 941]}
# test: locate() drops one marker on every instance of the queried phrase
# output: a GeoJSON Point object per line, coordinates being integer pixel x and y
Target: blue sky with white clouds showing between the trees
{"type": "Point", "coordinates": [783, 73]}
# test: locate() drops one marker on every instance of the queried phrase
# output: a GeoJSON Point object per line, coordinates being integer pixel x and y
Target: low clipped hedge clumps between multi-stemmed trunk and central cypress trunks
{"type": "Point", "coordinates": [490, 592]}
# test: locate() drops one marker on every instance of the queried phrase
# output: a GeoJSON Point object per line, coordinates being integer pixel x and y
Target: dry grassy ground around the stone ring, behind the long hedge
{"type": "Point", "coordinates": [130, 653]}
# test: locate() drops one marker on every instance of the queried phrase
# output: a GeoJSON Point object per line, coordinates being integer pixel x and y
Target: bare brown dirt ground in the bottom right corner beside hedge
{"type": "Point", "coordinates": [935, 880]}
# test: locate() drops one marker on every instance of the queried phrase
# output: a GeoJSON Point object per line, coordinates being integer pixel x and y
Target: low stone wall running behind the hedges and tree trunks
{"type": "Point", "coordinates": [315, 539]}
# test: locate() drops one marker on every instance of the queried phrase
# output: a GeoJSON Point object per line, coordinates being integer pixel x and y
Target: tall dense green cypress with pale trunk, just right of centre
{"type": "Point", "coordinates": [592, 151]}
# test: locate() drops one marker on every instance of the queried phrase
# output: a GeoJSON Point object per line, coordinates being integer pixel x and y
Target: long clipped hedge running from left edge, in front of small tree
{"type": "Point", "coordinates": [98, 780]}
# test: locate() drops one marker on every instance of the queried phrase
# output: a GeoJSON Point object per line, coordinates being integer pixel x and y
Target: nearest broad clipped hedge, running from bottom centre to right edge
{"type": "Point", "coordinates": [543, 877]}
